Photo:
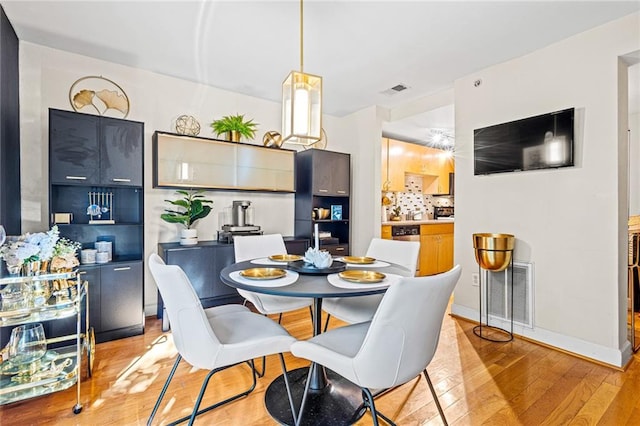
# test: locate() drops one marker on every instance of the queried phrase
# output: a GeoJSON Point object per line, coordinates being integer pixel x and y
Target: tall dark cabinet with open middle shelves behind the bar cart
{"type": "Point", "coordinates": [99, 160]}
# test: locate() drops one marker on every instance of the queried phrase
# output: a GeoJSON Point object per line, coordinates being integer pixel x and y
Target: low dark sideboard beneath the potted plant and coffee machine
{"type": "Point", "coordinates": [203, 262]}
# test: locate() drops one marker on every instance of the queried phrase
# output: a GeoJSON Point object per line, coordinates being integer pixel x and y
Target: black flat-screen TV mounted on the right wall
{"type": "Point", "coordinates": [541, 142]}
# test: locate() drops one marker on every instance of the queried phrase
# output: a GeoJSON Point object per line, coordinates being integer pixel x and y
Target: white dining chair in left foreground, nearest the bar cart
{"type": "Point", "coordinates": [216, 339]}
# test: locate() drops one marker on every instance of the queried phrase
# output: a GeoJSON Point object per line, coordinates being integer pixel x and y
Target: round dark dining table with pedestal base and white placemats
{"type": "Point", "coordinates": [332, 399]}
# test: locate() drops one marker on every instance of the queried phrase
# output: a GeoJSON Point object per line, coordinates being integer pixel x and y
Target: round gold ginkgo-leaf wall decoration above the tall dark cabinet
{"type": "Point", "coordinates": [99, 94]}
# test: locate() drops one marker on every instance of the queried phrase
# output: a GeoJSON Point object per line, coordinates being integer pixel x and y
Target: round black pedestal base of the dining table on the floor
{"type": "Point", "coordinates": [338, 403]}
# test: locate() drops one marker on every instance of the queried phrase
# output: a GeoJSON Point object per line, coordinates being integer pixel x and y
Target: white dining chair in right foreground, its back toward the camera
{"type": "Point", "coordinates": [394, 347]}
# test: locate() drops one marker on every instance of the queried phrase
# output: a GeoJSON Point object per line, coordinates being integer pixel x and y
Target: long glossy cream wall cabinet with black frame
{"type": "Point", "coordinates": [194, 162]}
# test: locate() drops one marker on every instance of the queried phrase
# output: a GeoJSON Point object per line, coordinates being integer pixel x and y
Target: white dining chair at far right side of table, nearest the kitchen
{"type": "Point", "coordinates": [359, 309]}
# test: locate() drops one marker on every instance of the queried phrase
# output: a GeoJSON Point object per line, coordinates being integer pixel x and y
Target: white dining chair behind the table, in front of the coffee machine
{"type": "Point", "coordinates": [251, 247]}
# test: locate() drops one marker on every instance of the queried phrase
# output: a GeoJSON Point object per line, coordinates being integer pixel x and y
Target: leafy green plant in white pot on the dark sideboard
{"type": "Point", "coordinates": [193, 207]}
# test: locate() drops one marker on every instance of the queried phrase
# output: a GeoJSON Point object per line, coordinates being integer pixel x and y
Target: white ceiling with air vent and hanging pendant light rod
{"type": "Point", "coordinates": [360, 48]}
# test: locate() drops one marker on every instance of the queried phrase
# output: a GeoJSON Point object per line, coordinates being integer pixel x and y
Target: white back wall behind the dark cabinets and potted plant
{"type": "Point", "coordinates": [45, 78]}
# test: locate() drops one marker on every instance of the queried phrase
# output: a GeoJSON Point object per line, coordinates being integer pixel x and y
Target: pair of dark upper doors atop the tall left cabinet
{"type": "Point", "coordinates": [94, 150]}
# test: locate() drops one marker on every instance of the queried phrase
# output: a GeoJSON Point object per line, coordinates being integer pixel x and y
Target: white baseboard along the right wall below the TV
{"type": "Point", "coordinates": [615, 358]}
